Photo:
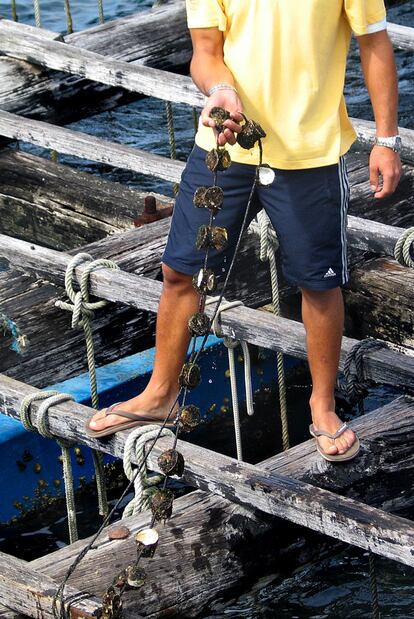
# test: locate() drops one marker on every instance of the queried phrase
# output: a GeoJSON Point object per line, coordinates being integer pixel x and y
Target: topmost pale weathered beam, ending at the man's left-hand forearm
{"type": "Point", "coordinates": [21, 41]}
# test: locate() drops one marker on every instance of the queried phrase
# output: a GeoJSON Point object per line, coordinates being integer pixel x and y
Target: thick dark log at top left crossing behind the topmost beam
{"type": "Point", "coordinates": [163, 42]}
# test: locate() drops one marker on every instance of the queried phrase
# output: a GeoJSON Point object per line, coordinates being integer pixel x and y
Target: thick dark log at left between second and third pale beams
{"type": "Point", "coordinates": [60, 207]}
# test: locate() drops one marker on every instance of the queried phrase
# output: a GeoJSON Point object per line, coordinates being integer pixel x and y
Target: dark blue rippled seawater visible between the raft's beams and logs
{"type": "Point", "coordinates": [336, 586]}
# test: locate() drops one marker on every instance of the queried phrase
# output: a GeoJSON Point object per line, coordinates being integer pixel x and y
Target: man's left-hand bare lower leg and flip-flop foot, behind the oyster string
{"type": "Point", "coordinates": [178, 302]}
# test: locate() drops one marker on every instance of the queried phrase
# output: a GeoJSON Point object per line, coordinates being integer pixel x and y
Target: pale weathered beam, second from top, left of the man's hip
{"type": "Point", "coordinates": [85, 146]}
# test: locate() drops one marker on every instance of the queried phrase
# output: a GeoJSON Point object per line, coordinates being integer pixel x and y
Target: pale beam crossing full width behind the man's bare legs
{"type": "Point", "coordinates": [243, 323]}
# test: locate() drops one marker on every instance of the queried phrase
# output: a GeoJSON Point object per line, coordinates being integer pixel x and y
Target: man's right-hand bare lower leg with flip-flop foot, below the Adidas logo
{"type": "Point", "coordinates": [323, 317]}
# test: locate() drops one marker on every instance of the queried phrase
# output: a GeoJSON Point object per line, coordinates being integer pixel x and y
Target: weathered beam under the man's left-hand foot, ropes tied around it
{"type": "Point", "coordinates": [301, 503]}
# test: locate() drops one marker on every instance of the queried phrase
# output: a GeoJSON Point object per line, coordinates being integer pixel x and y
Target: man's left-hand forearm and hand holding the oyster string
{"type": "Point", "coordinates": [207, 70]}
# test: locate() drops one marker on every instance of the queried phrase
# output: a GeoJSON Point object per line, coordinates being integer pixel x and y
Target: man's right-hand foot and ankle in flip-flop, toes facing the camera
{"type": "Point", "coordinates": [324, 418]}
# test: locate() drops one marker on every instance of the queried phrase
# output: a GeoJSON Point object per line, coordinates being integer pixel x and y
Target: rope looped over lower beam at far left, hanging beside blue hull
{"type": "Point", "coordinates": [51, 398]}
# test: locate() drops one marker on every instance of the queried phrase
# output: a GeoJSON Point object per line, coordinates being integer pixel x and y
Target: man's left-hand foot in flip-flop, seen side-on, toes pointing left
{"type": "Point", "coordinates": [143, 404]}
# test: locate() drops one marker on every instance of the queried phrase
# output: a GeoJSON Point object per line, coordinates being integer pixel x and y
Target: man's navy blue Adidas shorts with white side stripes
{"type": "Point", "coordinates": [307, 208]}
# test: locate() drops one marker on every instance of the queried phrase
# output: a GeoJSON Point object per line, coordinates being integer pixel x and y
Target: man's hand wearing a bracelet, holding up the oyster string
{"type": "Point", "coordinates": [228, 100]}
